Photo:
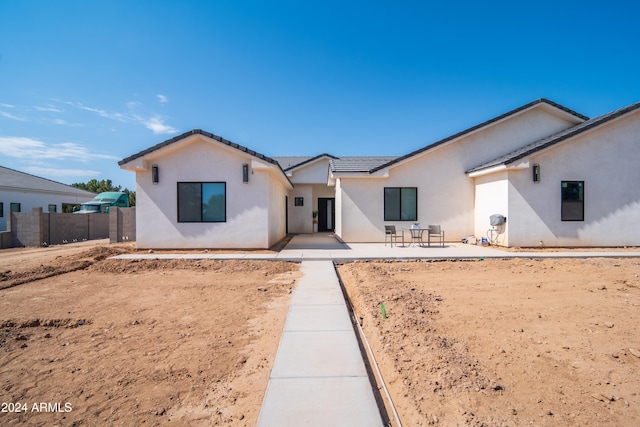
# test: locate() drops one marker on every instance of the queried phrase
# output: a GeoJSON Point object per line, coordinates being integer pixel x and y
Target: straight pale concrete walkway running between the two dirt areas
{"type": "Point", "coordinates": [319, 377]}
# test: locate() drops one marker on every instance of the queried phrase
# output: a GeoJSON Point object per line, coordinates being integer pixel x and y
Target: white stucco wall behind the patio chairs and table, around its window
{"type": "Point", "coordinates": [446, 196]}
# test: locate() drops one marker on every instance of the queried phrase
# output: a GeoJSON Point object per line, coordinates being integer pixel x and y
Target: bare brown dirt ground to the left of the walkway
{"type": "Point", "coordinates": [89, 341]}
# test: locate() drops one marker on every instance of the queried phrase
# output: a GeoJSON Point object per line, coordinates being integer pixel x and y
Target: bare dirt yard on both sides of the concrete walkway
{"type": "Point", "coordinates": [89, 341]}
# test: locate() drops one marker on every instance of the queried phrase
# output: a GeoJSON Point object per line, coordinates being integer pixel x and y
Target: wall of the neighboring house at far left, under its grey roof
{"type": "Point", "coordinates": [30, 199]}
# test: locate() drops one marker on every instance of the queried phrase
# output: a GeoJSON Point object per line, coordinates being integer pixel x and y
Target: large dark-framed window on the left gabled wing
{"type": "Point", "coordinates": [202, 202]}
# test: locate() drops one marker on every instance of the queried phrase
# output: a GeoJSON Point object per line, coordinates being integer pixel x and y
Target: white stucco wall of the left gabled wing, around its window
{"type": "Point", "coordinates": [249, 224]}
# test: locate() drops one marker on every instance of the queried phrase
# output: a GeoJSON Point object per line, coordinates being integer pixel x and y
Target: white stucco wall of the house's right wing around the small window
{"type": "Point", "coordinates": [608, 161]}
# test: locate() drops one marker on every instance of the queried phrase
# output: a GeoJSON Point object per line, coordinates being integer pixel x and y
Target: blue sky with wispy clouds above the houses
{"type": "Point", "coordinates": [84, 84]}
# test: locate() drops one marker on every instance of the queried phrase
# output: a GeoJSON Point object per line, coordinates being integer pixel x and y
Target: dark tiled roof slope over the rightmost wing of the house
{"type": "Point", "coordinates": [556, 138]}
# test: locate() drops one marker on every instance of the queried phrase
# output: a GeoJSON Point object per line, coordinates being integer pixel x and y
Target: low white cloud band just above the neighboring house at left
{"type": "Point", "coordinates": [28, 148]}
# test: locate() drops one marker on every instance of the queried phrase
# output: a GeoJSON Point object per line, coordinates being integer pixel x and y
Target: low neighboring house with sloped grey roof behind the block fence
{"type": "Point", "coordinates": [21, 192]}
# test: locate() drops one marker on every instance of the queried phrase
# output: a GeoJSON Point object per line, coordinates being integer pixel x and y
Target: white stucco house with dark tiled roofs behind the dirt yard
{"type": "Point", "coordinates": [558, 177]}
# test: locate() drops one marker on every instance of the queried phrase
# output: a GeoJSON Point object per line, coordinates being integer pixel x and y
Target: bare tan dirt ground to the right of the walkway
{"type": "Point", "coordinates": [517, 342]}
